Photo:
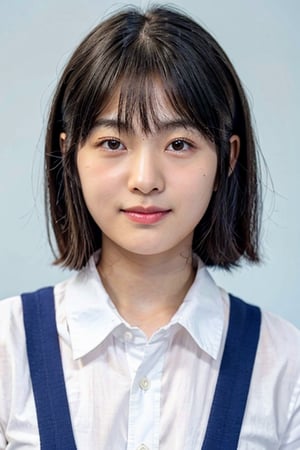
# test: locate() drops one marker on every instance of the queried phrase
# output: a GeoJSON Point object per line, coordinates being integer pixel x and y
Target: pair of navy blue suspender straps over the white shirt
{"type": "Point", "coordinates": [49, 390]}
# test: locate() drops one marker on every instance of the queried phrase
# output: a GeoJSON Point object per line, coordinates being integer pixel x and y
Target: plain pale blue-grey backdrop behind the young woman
{"type": "Point", "coordinates": [262, 38]}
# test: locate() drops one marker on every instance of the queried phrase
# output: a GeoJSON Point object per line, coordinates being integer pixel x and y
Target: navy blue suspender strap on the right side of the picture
{"type": "Point", "coordinates": [233, 383]}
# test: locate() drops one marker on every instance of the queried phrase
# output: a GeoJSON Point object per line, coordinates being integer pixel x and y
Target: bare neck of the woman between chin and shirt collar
{"type": "Point", "coordinates": [146, 290]}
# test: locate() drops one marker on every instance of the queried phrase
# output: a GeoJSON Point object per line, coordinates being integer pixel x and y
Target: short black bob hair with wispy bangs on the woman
{"type": "Point", "coordinates": [128, 51]}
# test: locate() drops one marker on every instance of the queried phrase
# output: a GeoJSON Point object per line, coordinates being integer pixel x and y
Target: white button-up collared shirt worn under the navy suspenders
{"type": "Point", "coordinates": [129, 393]}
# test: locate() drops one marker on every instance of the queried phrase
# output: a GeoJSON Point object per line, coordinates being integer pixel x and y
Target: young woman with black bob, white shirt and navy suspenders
{"type": "Point", "coordinates": [151, 175]}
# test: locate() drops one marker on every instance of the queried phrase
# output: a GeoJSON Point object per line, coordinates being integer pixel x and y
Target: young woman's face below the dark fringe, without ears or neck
{"type": "Point", "coordinates": [146, 192]}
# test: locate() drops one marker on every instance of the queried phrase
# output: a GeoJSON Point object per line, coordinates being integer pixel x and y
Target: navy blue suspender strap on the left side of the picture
{"type": "Point", "coordinates": [46, 371]}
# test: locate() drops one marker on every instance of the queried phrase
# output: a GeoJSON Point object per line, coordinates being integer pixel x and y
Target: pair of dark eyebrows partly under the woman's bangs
{"type": "Point", "coordinates": [163, 125]}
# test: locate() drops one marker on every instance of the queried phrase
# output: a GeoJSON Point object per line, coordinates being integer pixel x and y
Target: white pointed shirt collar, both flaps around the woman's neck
{"type": "Point", "coordinates": [91, 316]}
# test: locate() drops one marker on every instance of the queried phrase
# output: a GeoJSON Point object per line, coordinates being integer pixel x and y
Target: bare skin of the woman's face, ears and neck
{"type": "Point", "coordinates": [147, 193]}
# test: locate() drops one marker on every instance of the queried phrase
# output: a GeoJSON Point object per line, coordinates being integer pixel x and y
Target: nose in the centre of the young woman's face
{"type": "Point", "coordinates": [146, 173]}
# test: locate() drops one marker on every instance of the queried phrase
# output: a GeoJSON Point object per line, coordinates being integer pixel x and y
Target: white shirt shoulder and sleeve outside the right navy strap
{"type": "Point", "coordinates": [274, 397]}
